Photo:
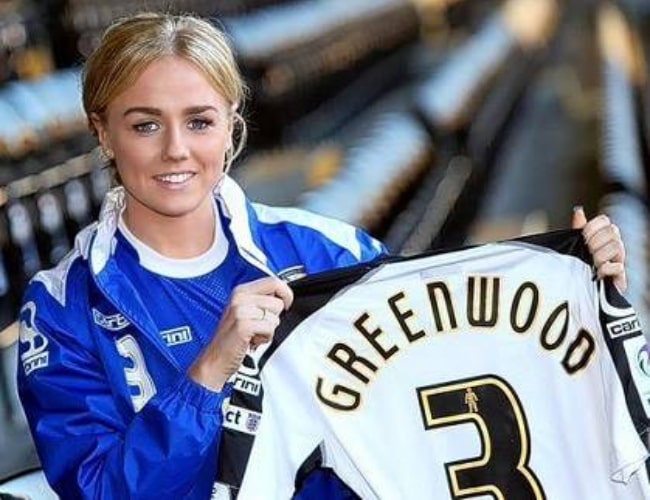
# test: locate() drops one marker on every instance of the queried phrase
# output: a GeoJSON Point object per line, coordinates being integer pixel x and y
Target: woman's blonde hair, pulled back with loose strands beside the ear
{"type": "Point", "coordinates": [129, 45]}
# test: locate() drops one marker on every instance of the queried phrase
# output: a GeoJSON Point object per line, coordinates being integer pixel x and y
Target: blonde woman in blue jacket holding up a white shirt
{"type": "Point", "coordinates": [127, 345]}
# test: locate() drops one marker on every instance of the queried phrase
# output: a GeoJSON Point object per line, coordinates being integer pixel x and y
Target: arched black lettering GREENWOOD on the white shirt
{"type": "Point", "coordinates": [487, 311]}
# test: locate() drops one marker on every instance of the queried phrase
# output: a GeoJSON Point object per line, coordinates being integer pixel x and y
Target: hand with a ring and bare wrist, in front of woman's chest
{"type": "Point", "coordinates": [250, 319]}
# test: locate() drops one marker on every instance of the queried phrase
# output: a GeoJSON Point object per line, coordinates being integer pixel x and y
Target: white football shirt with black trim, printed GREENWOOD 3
{"type": "Point", "coordinates": [499, 371]}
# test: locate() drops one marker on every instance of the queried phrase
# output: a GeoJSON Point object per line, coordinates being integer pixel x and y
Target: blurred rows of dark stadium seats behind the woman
{"type": "Point", "coordinates": [430, 123]}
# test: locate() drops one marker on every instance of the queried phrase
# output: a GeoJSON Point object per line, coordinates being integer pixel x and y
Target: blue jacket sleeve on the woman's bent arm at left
{"type": "Point", "coordinates": [90, 443]}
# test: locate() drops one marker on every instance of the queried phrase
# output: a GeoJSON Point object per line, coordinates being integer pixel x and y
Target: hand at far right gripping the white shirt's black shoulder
{"type": "Point", "coordinates": [605, 244]}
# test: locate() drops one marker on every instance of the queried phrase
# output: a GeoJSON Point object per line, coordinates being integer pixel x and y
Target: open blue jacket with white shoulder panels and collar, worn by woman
{"type": "Point", "coordinates": [92, 437]}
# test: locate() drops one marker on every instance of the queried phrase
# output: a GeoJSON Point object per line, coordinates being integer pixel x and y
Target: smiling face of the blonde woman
{"type": "Point", "coordinates": [169, 132]}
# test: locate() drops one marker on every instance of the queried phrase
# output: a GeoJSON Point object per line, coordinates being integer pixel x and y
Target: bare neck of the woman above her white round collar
{"type": "Point", "coordinates": [181, 237]}
